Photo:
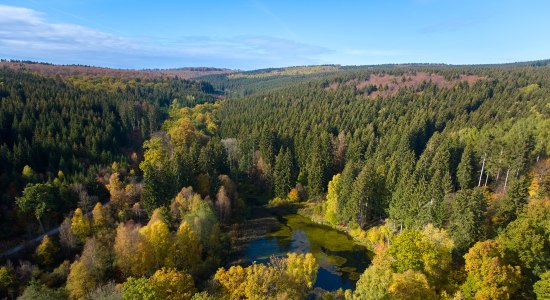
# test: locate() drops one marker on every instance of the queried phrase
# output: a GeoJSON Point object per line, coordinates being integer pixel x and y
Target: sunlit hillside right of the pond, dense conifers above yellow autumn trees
{"type": "Point", "coordinates": [455, 151]}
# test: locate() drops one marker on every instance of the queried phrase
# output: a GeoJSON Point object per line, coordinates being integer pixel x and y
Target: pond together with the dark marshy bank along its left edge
{"type": "Point", "coordinates": [275, 231]}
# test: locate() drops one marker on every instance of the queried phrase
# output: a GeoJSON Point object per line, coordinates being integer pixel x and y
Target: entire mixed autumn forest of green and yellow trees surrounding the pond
{"type": "Point", "coordinates": [151, 183]}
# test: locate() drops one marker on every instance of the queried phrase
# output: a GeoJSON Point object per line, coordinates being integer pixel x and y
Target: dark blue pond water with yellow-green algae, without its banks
{"type": "Point", "coordinates": [341, 260]}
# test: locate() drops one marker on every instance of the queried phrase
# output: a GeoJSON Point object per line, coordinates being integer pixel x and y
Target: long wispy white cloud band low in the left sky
{"type": "Point", "coordinates": [27, 34]}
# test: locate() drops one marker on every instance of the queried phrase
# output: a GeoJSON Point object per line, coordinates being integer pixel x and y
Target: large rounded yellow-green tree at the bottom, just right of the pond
{"type": "Point", "coordinates": [415, 262]}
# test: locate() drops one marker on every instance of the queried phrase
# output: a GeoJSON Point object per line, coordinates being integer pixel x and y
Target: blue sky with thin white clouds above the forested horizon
{"type": "Point", "coordinates": [253, 34]}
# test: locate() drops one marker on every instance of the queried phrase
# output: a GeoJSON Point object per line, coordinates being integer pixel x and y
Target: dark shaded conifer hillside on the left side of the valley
{"type": "Point", "coordinates": [69, 129]}
